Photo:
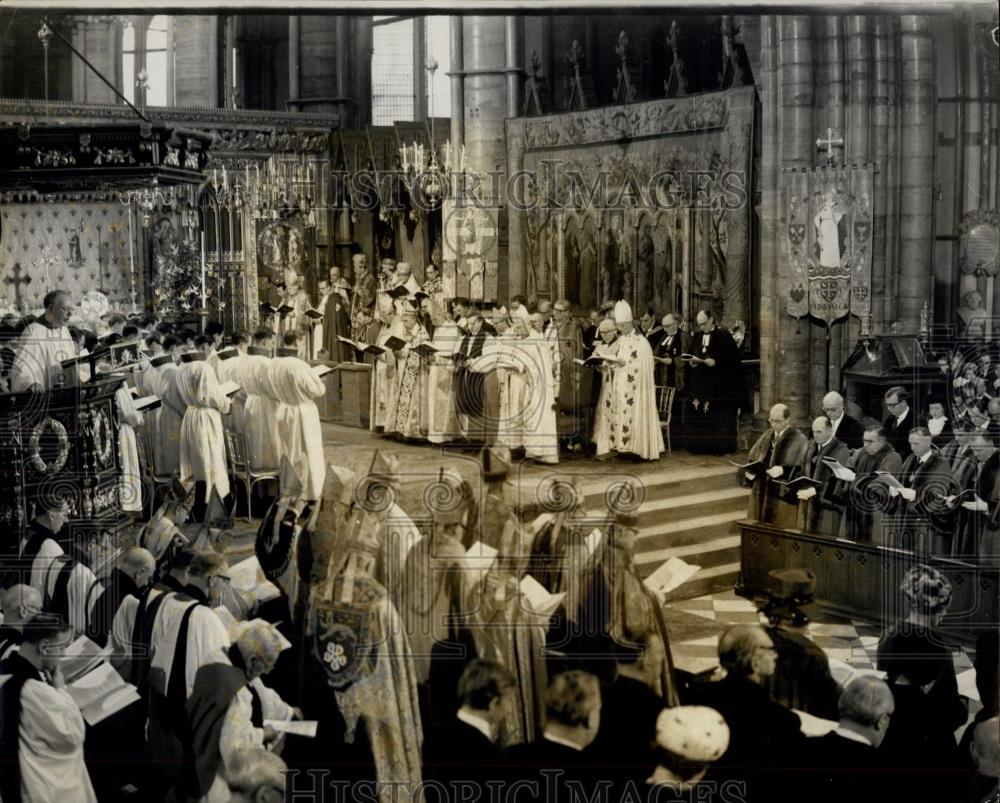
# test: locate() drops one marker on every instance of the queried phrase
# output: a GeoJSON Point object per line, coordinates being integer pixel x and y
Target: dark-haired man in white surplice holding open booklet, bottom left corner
{"type": "Point", "coordinates": [44, 762]}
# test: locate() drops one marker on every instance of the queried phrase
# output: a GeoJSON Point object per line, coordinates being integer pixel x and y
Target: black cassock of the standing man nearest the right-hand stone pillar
{"type": "Point", "coordinates": [719, 388]}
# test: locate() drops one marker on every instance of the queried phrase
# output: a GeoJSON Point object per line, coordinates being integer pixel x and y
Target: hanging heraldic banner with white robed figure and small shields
{"type": "Point", "coordinates": [827, 218]}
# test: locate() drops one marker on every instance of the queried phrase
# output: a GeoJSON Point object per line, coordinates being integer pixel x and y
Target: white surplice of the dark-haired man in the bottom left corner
{"type": "Point", "coordinates": [51, 737]}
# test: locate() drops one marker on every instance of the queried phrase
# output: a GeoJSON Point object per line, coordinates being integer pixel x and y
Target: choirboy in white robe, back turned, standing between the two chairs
{"type": "Point", "coordinates": [203, 445]}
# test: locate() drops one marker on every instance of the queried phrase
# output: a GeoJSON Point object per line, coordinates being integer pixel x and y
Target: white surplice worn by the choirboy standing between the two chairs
{"type": "Point", "coordinates": [203, 445]}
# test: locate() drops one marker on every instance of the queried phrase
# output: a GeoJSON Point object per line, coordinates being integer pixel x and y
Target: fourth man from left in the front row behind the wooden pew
{"type": "Point", "coordinates": [924, 521]}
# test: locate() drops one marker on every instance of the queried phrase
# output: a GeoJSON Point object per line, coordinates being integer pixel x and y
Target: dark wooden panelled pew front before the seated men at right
{"type": "Point", "coordinates": [861, 581]}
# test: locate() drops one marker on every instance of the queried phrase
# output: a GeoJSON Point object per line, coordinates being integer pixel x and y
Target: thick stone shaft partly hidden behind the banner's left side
{"type": "Point", "coordinates": [798, 142]}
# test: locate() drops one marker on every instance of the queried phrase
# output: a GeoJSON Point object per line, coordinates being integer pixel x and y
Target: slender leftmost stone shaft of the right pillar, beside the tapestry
{"type": "Point", "coordinates": [771, 306]}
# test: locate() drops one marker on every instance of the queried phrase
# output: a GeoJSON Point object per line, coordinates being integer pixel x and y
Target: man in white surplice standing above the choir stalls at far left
{"type": "Point", "coordinates": [43, 345]}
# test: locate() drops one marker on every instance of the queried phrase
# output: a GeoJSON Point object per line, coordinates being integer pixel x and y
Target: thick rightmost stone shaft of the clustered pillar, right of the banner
{"type": "Point", "coordinates": [916, 230]}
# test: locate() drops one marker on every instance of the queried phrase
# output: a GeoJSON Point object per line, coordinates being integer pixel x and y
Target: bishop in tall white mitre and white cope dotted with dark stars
{"type": "Point", "coordinates": [629, 409]}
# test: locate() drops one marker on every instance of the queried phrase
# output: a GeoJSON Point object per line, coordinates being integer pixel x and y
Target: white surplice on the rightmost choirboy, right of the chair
{"type": "Point", "coordinates": [302, 468]}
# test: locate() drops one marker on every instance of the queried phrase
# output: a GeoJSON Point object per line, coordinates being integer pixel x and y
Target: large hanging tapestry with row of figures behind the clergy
{"type": "Point", "coordinates": [649, 202]}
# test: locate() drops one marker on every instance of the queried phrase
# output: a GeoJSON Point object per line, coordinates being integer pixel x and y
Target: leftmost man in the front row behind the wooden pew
{"type": "Point", "coordinates": [780, 450]}
